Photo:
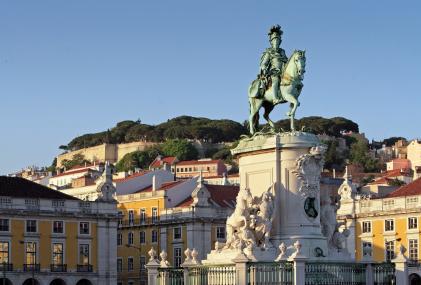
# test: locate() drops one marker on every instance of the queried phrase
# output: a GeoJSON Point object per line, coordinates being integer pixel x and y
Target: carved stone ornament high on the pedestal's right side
{"type": "Point", "coordinates": [309, 167]}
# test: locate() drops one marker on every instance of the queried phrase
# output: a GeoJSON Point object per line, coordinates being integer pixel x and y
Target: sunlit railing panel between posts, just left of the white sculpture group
{"type": "Point", "coordinates": [212, 275]}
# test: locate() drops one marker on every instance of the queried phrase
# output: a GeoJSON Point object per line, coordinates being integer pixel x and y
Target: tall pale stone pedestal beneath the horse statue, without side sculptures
{"type": "Point", "coordinates": [290, 164]}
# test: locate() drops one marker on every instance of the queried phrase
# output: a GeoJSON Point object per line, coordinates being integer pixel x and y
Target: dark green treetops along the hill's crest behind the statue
{"type": "Point", "coordinates": [197, 128]}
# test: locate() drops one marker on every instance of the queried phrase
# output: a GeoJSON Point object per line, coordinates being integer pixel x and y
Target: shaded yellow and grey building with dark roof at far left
{"type": "Point", "coordinates": [47, 237]}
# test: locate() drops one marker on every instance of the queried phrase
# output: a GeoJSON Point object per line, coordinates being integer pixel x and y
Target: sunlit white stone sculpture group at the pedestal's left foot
{"type": "Point", "coordinates": [250, 224]}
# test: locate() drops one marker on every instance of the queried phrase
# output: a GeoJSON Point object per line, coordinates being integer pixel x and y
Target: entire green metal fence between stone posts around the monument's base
{"type": "Point", "coordinates": [280, 273]}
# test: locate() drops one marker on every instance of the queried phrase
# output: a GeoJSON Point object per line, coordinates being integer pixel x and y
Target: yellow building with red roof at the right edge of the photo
{"type": "Point", "coordinates": [380, 227]}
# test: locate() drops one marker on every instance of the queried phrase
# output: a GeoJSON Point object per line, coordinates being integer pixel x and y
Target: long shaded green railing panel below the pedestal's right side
{"type": "Point", "coordinates": [334, 273]}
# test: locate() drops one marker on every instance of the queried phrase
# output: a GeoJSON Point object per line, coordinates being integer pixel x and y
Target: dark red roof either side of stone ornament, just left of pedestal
{"type": "Point", "coordinates": [222, 195]}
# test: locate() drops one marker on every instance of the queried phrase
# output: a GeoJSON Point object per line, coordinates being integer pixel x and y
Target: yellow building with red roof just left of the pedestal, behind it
{"type": "Point", "coordinates": [171, 219]}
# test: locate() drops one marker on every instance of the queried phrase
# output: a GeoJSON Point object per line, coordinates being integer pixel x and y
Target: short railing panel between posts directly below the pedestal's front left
{"type": "Point", "coordinates": [270, 273]}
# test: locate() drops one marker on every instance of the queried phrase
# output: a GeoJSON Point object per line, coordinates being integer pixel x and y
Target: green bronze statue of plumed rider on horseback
{"type": "Point", "coordinates": [279, 81]}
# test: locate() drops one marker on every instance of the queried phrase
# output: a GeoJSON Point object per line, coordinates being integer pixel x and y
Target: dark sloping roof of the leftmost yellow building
{"type": "Point", "coordinates": [22, 188]}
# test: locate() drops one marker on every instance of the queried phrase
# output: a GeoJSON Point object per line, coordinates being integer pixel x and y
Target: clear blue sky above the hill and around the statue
{"type": "Point", "coordinates": [73, 67]}
